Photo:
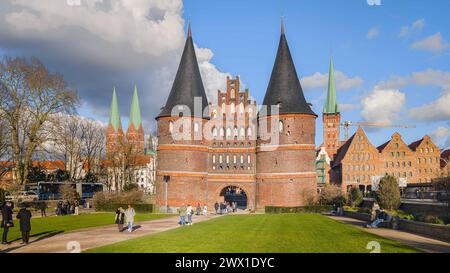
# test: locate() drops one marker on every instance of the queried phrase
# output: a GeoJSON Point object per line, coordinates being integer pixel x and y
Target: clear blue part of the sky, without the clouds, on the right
{"type": "Point", "coordinates": [244, 37]}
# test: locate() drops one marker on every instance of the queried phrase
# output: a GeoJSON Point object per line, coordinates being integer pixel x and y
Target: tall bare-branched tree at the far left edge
{"type": "Point", "coordinates": [29, 96]}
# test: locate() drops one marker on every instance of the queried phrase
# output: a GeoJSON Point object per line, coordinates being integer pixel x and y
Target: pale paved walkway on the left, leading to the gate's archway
{"type": "Point", "coordinates": [83, 239]}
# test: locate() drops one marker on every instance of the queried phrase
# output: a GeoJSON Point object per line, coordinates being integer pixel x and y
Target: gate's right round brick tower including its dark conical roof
{"type": "Point", "coordinates": [285, 168]}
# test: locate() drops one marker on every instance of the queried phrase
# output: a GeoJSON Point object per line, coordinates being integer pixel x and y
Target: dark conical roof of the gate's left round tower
{"type": "Point", "coordinates": [188, 83]}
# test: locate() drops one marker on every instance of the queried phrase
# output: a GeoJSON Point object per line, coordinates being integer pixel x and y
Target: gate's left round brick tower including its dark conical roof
{"type": "Point", "coordinates": [182, 151]}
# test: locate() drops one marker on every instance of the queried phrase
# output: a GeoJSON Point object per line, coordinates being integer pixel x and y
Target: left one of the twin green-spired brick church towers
{"type": "Point", "coordinates": [114, 132]}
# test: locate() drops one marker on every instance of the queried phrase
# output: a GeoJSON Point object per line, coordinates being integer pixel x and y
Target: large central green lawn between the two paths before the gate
{"type": "Point", "coordinates": [267, 233]}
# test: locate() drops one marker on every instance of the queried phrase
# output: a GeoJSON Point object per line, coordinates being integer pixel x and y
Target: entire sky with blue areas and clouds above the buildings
{"type": "Point", "coordinates": [392, 60]}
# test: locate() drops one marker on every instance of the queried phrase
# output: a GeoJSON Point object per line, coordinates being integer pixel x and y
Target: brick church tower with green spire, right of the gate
{"type": "Point", "coordinates": [331, 117]}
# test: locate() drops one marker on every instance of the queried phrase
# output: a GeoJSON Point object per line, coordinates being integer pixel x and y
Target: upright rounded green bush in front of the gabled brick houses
{"type": "Point", "coordinates": [388, 194]}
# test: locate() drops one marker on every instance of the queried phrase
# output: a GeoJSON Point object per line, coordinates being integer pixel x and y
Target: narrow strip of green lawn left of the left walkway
{"type": "Point", "coordinates": [57, 224]}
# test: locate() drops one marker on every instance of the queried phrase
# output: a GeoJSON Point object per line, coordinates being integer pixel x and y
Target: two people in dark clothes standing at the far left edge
{"type": "Point", "coordinates": [24, 217]}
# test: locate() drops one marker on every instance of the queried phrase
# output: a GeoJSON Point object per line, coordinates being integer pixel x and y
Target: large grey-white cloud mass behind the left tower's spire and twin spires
{"type": "Point", "coordinates": [101, 43]}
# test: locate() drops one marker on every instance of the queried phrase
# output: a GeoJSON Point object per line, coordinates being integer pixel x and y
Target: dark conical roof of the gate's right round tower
{"type": "Point", "coordinates": [284, 87]}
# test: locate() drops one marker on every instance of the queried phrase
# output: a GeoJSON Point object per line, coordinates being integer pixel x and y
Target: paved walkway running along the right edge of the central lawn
{"type": "Point", "coordinates": [423, 243]}
